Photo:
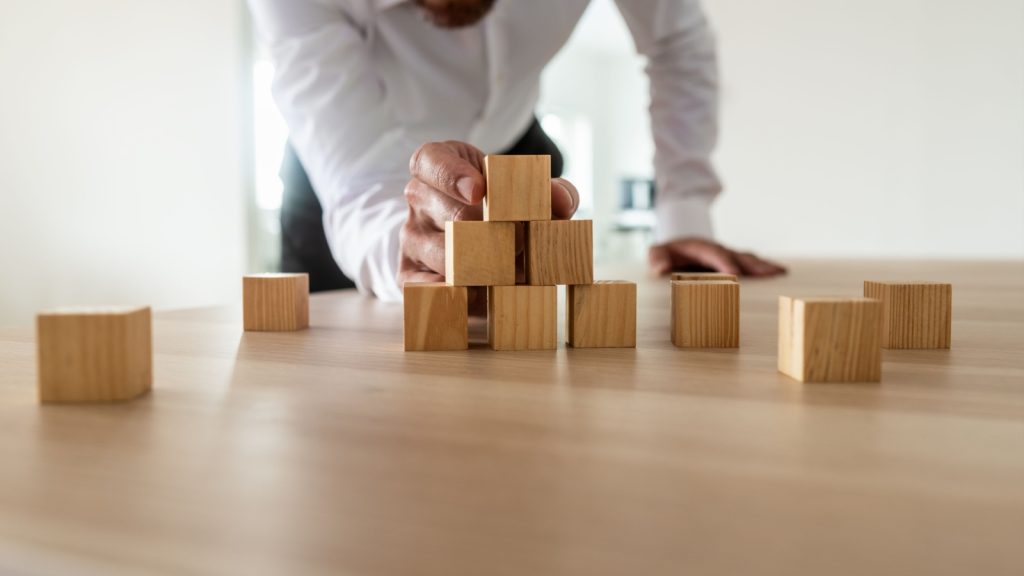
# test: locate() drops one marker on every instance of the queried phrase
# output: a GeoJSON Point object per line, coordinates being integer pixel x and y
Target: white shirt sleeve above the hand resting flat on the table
{"type": "Point", "coordinates": [682, 67]}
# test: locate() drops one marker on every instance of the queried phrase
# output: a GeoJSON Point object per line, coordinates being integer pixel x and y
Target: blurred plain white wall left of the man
{"type": "Point", "coordinates": [122, 168]}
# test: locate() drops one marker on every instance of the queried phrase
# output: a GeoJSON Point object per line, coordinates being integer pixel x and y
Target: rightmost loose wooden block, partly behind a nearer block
{"type": "Point", "coordinates": [915, 315]}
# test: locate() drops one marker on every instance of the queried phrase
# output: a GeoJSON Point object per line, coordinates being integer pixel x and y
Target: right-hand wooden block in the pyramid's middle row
{"type": "Point", "coordinates": [560, 253]}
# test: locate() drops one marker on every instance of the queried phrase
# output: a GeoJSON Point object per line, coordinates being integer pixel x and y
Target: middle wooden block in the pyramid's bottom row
{"type": "Point", "coordinates": [523, 317]}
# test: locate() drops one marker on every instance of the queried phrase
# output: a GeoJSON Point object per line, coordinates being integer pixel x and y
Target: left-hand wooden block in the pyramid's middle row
{"type": "Point", "coordinates": [480, 254]}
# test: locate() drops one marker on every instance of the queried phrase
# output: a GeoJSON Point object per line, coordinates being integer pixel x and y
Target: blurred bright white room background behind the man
{"type": "Point", "coordinates": [140, 146]}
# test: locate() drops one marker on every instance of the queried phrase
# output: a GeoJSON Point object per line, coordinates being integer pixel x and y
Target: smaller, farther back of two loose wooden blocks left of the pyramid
{"type": "Point", "coordinates": [276, 303]}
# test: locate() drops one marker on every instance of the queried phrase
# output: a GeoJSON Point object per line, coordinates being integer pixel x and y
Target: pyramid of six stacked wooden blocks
{"type": "Point", "coordinates": [484, 255]}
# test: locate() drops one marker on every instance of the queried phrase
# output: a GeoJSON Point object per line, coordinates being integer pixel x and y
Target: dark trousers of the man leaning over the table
{"type": "Point", "coordinates": [304, 243]}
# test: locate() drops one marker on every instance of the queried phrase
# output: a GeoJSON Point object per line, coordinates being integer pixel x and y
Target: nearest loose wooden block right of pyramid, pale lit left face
{"type": "Point", "coordinates": [830, 340]}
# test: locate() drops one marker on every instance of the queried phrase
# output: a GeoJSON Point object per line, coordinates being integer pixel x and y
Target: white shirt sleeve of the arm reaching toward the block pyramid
{"type": "Point", "coordinates": [356, 154]}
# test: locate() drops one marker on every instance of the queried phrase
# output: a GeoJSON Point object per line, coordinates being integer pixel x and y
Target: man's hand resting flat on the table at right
{"type": "Point", "coordinates": [698, 254]}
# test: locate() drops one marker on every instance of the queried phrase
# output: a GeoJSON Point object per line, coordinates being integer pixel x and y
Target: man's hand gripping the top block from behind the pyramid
{"type": "Point", "coordinates": [447, 185]}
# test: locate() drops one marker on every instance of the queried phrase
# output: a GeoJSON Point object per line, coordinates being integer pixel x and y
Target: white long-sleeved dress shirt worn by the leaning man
{"type": "Point", "coordinates": [363, 84]}
